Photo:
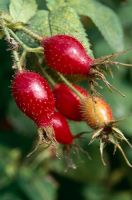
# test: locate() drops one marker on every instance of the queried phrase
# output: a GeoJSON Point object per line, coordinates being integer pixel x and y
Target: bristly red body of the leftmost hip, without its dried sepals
{"type": "Point", "coordinates": [33, 96]}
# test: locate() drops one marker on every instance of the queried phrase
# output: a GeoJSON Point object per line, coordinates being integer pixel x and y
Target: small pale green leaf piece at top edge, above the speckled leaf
{"type": "Point", "coordinates": [54, 4]}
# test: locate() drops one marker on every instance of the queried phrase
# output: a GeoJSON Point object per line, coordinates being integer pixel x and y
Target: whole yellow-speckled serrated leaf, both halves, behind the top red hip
{"type": "Point", "coordinates": [61, 21]}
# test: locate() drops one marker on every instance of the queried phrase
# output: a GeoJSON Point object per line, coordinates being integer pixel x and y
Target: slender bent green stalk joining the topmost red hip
{"type": "Point", "coordinates": [28, 49]}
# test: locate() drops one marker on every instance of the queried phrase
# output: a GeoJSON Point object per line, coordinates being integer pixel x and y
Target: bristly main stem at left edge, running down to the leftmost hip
{"type": "Point", "coordinates": [11, 41]}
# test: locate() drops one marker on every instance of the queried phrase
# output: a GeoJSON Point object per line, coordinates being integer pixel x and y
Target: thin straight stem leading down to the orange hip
{"type": "Point", "coordinates": [70, 85]}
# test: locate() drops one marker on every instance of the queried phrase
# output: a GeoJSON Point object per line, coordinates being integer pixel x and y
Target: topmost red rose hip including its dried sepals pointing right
{"type": "Point", "coordinates": [67, 55]}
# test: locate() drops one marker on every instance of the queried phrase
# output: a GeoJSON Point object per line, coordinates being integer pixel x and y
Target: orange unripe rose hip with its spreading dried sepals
{"type": "Point", "coordinates": [98, 114]}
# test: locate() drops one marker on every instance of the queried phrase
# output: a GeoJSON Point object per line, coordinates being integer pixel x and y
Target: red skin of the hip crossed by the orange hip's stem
{"type": "Point", "coordinates": [67, 102]}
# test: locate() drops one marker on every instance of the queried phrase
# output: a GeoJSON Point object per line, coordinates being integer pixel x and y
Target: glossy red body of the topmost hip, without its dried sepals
{"type": "Point", "coordinates": [66, 55]}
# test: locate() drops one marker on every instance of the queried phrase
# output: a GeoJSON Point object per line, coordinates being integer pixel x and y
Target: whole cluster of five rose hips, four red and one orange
{"type": "Point", "coordinates": [50, 108]}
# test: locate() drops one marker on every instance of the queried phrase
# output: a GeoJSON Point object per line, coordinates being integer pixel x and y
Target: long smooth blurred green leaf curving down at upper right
{"type": "Point", "coordinates": [104, 18]}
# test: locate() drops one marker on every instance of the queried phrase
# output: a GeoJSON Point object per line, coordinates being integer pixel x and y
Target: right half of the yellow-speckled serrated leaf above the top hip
{"type": "Point", "coordinates": [65, 21]}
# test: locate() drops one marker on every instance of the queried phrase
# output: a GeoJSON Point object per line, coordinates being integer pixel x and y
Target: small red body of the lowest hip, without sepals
{"type": "Point", "coordinates": [62, 131]}
